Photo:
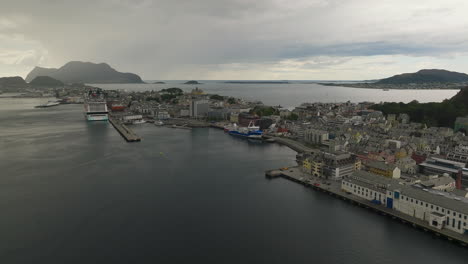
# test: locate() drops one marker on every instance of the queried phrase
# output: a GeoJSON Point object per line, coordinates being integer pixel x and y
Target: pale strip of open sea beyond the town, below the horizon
{"type": "Point", "coordinates": [293, 94]}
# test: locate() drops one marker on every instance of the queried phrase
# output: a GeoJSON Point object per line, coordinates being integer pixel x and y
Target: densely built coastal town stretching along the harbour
{"type": "Point", "coordinates": [385, 160]}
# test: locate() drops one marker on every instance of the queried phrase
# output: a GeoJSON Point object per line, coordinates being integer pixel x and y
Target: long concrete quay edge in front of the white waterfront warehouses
{"type": "Point", "coordinates": [333, 188]}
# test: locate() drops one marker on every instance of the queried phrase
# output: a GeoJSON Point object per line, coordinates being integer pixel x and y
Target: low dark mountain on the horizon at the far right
{"type": "Point", "coordinates": [426, 76]}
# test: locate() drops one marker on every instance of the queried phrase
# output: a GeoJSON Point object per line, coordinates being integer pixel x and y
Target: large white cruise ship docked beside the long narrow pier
{"type": "Point", "coordinates": [95, 106]}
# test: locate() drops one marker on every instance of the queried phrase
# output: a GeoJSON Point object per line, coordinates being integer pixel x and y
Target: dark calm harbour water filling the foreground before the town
{"type": "Point", "coordinates": [75, 192]}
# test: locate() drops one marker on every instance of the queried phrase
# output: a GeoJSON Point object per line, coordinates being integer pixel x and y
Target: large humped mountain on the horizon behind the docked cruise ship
{"type": "Point", "coordinates": [85, 72]}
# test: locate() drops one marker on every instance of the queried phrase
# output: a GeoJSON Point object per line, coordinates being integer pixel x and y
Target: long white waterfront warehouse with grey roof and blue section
{"type": "Point", "coordinates": [439, 209]}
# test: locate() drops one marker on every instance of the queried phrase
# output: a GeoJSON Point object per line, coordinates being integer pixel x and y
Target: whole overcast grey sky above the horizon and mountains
{"type": "Point", "coordinates": [237, 39]}
